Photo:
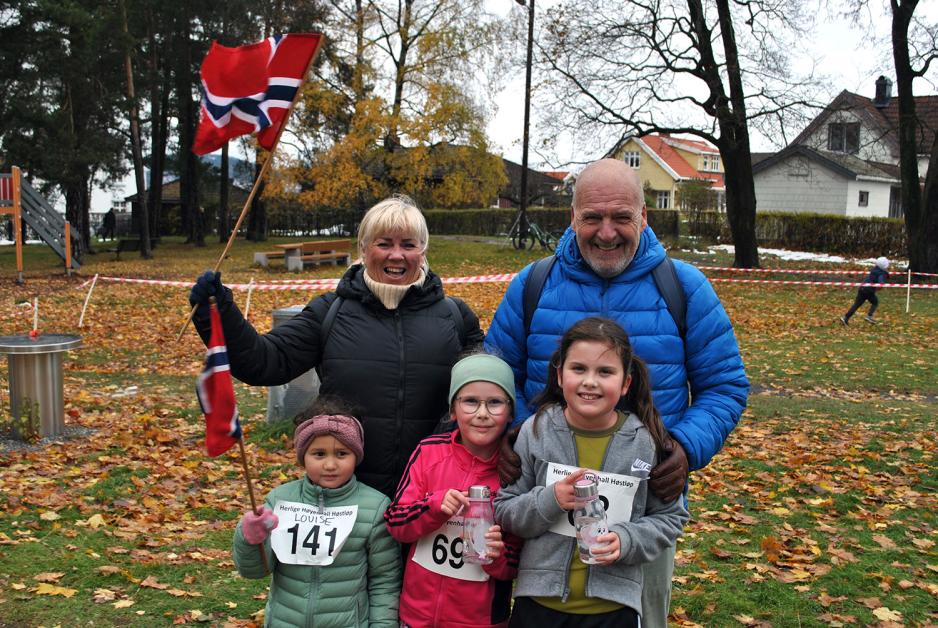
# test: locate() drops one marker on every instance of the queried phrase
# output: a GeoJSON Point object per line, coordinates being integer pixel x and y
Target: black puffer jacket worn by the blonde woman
{"type": "Point", "coordinates": [393, 365]}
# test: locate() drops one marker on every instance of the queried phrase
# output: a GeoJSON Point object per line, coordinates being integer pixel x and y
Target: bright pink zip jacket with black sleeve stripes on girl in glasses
{"type": "Point", "coordinates": [429, 597]}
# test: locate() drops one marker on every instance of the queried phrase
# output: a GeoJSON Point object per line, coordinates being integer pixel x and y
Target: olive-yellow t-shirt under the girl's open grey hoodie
{"type": "Point", "coordinates": [591, 449]}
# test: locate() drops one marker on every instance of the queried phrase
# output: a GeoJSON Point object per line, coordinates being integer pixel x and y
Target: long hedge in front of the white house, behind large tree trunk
{"type": "Point", "coordinates": [812, 232]}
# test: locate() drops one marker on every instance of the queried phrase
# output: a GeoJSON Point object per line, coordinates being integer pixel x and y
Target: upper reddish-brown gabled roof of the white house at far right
{"type": "Point", "coordinates": [883, 121]}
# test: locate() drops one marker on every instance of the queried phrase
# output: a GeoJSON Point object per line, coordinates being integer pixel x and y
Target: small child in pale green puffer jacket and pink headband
{"type": "Point", "coordinates": [333, 561]}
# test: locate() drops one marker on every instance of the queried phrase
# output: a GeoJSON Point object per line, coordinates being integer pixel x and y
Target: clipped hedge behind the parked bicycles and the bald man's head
{"type": "Point", "coordinates": [496, 222]}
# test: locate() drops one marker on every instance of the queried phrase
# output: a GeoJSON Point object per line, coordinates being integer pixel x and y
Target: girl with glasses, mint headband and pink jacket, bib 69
{"type": "Point", "coordinates": [441, 588]}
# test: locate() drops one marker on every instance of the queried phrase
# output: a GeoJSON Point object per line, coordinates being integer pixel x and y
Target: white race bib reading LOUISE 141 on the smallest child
{"type": "Point", "coordinates": [306, 535]}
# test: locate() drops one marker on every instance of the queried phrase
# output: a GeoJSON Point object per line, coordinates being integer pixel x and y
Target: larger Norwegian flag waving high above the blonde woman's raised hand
{"type": "Point", "coordinates": [249, 89]}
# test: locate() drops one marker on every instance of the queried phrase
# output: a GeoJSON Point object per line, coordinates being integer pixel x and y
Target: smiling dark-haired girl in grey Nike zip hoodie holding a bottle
{"type": "Point", "coordinates": [577, 427]}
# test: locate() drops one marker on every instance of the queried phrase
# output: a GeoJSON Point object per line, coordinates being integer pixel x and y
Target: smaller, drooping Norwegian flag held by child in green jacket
{"type": "Point", "coordinates": [216, 394]}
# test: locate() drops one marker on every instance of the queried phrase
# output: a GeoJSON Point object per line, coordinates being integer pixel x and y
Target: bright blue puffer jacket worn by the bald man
{"type": "Point", "coordinates": [709, 362]}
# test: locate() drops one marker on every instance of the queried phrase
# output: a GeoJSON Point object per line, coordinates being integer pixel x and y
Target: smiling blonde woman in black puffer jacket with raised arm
{"type": "Point", "coordinates": [393, 339]}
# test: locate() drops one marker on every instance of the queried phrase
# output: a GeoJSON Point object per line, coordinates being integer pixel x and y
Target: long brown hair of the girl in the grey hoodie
{"type": "Point", "coordinates": [637, 398]}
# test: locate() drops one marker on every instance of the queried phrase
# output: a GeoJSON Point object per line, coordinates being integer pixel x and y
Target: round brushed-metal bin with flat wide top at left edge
{"type": "Point", "coordinates": [35, 372]}
